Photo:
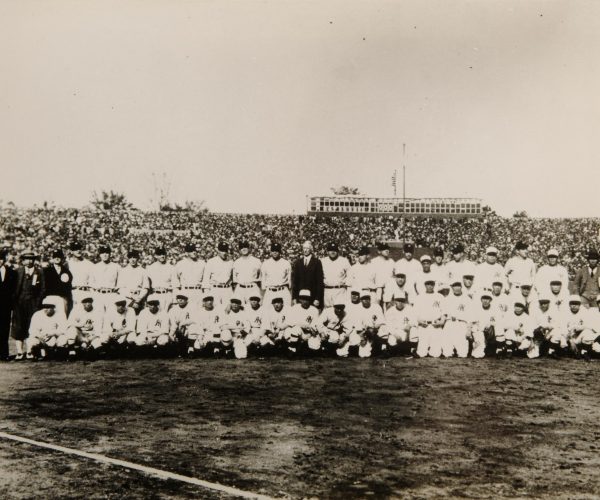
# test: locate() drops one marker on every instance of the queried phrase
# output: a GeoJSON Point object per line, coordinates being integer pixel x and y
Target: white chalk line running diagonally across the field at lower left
{"type": "Point", "coordinates": [163, 474]}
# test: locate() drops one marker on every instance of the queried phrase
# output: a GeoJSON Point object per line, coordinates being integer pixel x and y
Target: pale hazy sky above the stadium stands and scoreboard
{"type": "Point", "coordinates": [253, 105]}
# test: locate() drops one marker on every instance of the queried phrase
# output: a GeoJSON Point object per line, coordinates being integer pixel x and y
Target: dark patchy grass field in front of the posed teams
{"type": "Point", "coordinates": [305, 428]}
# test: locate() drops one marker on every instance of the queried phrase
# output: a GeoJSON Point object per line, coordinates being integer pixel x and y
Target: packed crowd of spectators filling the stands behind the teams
{"type": "Point", "coordinates": [45, 229]}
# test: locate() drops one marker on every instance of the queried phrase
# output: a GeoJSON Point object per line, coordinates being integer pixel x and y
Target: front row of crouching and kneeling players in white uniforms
{"type": "Point", "coordinates": [433, 326]}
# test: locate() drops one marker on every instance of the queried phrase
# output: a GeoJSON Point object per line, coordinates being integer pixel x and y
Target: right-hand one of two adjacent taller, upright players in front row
{"type": "Point", "coordinates": [458, 314]}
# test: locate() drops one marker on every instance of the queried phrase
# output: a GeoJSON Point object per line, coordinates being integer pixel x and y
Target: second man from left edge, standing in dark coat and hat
{"type": "Point", "coordinates": [29, 289]}
